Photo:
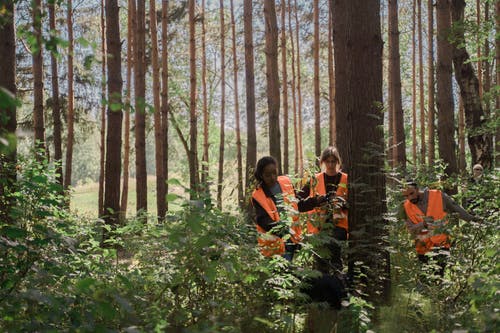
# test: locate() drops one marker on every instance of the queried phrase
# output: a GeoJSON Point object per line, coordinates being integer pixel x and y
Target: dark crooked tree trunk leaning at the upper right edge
{"type": "Point", "coordinates": [479, 144]}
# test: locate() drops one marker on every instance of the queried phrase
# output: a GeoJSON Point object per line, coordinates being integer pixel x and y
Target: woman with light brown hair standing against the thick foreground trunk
{"type": "Point", "coordinates": [328, 207]}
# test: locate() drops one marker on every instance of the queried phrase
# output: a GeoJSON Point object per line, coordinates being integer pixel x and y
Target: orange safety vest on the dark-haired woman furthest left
{"type": "Point", "coordinates": [271, 244]}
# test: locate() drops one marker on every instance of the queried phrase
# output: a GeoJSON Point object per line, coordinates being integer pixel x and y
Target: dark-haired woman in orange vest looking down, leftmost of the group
{"type": "Point", "coordinates": [276, 211]}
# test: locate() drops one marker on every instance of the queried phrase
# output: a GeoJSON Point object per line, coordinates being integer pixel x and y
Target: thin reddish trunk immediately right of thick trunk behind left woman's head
{"type": "Point", "coordinates": [285, 89]}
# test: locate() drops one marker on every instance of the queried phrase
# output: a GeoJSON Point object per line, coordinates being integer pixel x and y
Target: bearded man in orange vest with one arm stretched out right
{"type": "Point", "coordinates": [425, 212]}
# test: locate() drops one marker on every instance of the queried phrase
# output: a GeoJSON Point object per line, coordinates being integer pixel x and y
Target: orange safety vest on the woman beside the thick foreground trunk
{"type": "Point", "coordinates": [340, 217]}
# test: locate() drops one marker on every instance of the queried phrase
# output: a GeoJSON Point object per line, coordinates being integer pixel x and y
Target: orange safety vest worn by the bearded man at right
{"type": "Point", "coordinates": [426, 240]}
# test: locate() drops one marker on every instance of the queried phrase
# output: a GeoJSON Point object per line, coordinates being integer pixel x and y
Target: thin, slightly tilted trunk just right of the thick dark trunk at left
{"type": "Point", "coordinates": [128, 102]}
